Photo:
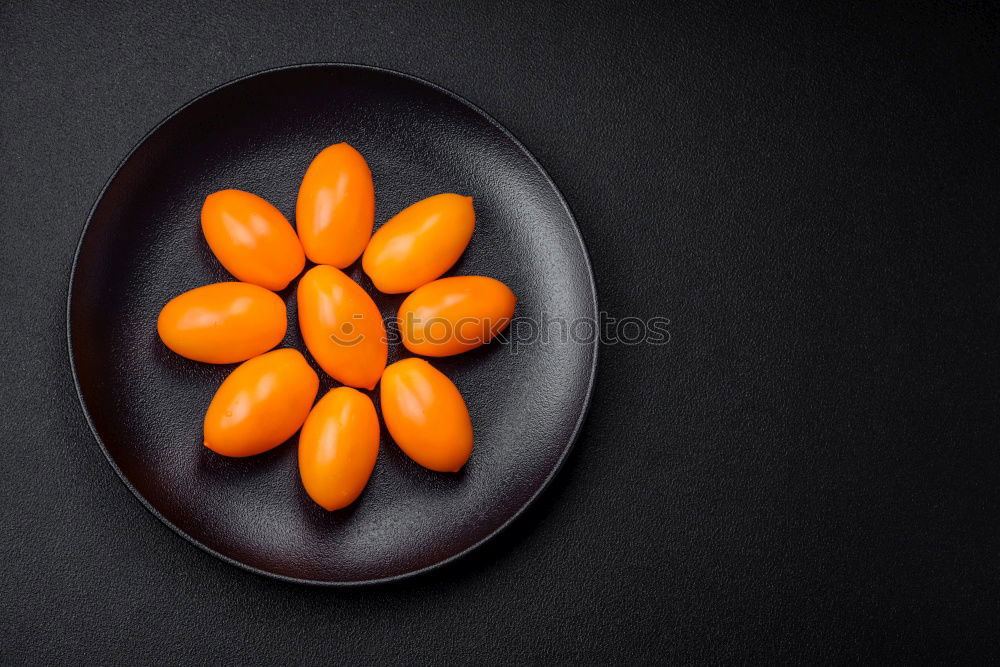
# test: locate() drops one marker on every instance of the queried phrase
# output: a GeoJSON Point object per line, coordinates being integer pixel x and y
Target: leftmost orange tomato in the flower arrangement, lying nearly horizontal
{"type": "Point", "coordinates": [223, 323]}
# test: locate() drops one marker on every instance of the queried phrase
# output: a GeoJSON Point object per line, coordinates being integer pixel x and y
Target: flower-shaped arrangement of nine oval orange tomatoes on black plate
{"type": "Point", "coordinates": [270, 395]}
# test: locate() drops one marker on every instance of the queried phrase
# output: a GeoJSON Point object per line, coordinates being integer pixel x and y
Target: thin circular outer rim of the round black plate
{"type": "Point", "coordinates": [574, 436]}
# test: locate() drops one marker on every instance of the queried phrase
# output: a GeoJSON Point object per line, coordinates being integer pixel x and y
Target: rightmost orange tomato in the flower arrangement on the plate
{"type": "Point", "coordinates": [452, 315]}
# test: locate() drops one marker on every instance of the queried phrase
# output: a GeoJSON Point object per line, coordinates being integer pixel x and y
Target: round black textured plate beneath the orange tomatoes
{"type": "Point", "coordinates": [142, 246]}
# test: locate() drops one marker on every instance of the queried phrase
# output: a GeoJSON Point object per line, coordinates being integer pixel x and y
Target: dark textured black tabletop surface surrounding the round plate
{"type": "Point", "coordinates": [809, 470]}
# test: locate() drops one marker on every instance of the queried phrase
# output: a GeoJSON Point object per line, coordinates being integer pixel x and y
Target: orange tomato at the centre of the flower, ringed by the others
{"type": "Point", "coordinates": [342, 327]}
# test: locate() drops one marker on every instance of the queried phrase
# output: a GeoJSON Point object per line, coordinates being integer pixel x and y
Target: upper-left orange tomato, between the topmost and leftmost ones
{"type": "Point", "coordinates": [252, 239]}
